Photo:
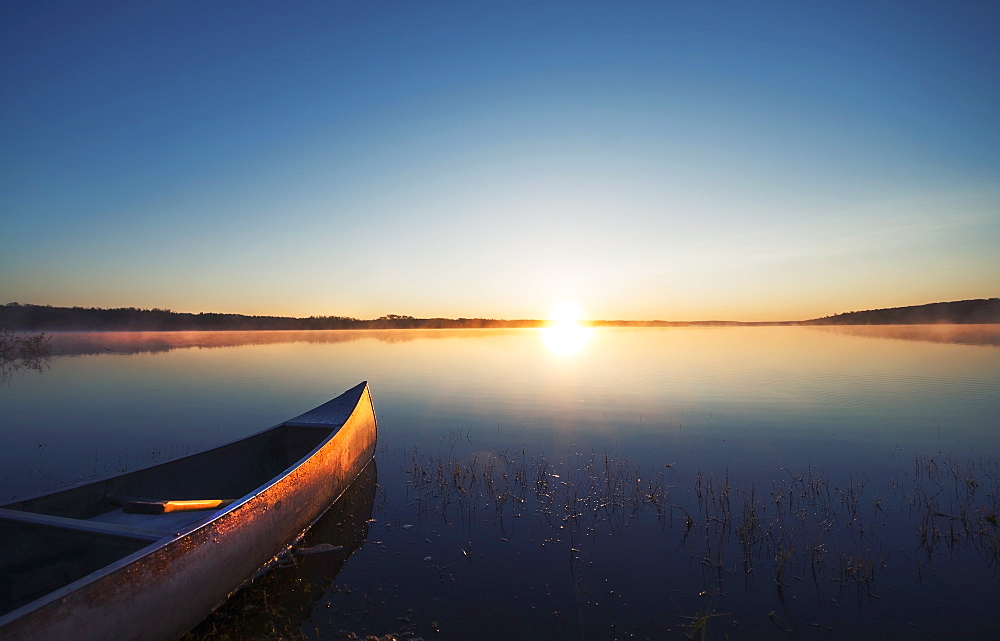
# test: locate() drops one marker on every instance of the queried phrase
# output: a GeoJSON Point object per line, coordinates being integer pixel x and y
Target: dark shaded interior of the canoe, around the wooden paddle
{"type": "Point", "coordinates": [41, 557]}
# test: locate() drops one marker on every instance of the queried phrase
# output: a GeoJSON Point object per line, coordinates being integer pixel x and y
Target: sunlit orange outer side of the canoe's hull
{"type": "Point", "coordinates": [166, 588]}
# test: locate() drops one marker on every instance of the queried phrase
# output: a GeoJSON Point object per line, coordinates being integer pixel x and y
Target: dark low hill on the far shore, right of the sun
{"type": "Point", "coordinates": [983, 310]}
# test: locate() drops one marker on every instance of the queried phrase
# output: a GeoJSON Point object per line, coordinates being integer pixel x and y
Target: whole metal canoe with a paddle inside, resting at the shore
{"type": "Point", "coordinates": [143, 556]}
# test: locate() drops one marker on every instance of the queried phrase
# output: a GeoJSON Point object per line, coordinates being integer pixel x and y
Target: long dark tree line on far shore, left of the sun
{"type": "Point", "coordinates": [44, 317]}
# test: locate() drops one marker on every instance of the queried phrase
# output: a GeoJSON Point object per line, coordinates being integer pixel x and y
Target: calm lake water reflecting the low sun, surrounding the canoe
{"type": "Point", "coordinates": [579, 484]}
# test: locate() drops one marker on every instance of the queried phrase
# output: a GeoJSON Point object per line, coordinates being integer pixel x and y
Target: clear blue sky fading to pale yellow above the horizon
{"type": "Point", "coordinates": [674, 160]}
